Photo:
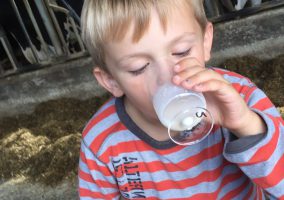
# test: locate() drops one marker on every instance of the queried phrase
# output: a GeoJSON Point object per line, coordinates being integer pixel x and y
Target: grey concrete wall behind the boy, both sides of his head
{"type": "Point", "coordinates": [261, 35]}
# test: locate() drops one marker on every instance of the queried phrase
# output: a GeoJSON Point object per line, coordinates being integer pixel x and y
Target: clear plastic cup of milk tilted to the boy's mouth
{"type": "Point", "coordinates": [183, 112]}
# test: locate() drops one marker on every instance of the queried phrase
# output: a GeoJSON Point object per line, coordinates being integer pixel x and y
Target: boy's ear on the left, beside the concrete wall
{"type": "Point", "coordinates": [107, 81]}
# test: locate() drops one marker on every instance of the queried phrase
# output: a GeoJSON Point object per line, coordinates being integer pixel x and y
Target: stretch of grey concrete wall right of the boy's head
{"type": "Point", "coordinates": [260, 35]}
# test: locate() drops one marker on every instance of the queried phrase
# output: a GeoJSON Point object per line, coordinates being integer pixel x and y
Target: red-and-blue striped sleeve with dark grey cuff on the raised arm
{"type": "Point", "coordinates": [262, 157]}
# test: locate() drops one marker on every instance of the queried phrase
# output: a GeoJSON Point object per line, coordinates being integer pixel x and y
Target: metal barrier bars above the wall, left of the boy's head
{"type": "Point", "coordinates": [51, 30]}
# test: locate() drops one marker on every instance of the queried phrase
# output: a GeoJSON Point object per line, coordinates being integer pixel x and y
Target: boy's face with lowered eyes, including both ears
{"type": "Point", "coordinates": [136, 68]}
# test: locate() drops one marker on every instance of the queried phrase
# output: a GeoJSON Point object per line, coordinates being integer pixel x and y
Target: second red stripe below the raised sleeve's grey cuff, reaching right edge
{"type": "Point", "coordinates": [274, 177]}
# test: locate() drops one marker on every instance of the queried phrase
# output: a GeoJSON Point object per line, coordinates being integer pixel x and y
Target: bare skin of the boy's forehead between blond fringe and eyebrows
{"type": "Point", "coordinates": [181, 27]}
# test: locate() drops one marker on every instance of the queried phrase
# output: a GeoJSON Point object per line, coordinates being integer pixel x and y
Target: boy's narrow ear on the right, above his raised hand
{"type": "Point", "coordinates": [208, 40]}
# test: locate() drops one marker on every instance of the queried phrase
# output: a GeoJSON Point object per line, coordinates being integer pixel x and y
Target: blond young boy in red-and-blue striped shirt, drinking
{"type": "Point", "coordinates": [125, 150]}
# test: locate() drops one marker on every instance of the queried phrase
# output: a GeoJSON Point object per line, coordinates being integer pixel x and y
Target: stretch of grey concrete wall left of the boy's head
{"type": "Point", "coordinates": [21, 93]}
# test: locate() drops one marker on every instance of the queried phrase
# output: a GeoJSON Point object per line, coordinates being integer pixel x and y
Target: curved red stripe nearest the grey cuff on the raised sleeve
{"type": "Point", "coordinates": [264, 152]}
